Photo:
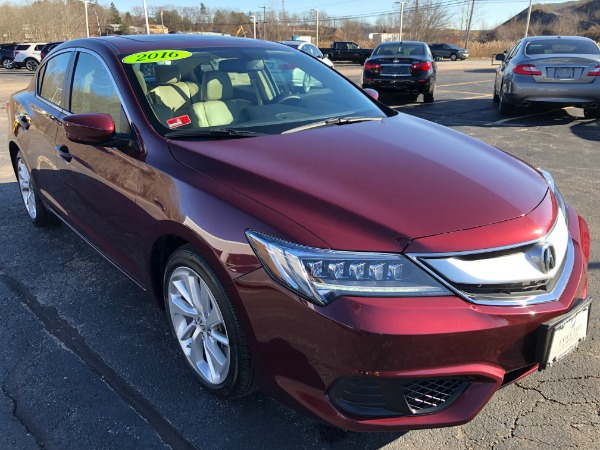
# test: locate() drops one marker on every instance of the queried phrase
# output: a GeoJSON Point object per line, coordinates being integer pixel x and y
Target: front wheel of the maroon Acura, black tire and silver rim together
{"type": "Point", "coordinates": [206, 327]}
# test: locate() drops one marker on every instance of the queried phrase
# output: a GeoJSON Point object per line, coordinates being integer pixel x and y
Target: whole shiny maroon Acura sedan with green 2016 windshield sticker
{"type": "Point", "coordinates": [375, 270]}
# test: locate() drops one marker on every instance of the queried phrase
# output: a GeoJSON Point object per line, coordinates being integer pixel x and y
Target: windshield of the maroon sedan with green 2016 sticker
{"type": "Point", "coordinates": [254, 90]}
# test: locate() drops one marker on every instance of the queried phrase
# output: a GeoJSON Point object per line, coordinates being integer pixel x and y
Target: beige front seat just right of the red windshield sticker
{"type": "Point", "coordinates": [218, 107]}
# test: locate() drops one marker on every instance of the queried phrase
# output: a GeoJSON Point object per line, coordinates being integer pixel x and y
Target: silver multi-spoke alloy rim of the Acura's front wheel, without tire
{"type": "Point", "coordinates": [199, 326]}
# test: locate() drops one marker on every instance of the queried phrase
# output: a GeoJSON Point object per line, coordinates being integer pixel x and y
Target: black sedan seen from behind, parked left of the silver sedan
{"type": "Point", "coordinates": [405, 67]}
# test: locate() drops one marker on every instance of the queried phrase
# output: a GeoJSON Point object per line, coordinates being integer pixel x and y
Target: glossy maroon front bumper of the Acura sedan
{"type": "Point", "coordinates": [383, 364]}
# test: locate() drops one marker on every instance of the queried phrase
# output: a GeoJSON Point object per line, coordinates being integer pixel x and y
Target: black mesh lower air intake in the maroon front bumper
{"type": "Point", "coordinates": [375, 397]}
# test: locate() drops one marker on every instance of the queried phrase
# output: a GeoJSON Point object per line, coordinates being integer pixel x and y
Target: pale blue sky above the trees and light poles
{"type": "Point", "coordinates": [488, 13]}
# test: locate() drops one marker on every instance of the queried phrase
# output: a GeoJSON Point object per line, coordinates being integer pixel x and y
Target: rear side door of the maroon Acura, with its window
{"type": "Point", "coordinates": [40, 120]}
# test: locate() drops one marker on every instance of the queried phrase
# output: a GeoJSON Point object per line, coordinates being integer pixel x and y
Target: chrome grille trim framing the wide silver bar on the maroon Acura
{"type": "Point", "coordinates": [489, 299]}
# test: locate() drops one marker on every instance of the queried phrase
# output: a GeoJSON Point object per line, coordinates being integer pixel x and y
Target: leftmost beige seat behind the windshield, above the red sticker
{"type": "Point", "coordinates": [172, 97]}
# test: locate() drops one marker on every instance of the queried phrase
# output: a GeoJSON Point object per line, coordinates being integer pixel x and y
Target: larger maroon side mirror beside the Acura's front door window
{"type": "Point", "coordinates": [90, 128]}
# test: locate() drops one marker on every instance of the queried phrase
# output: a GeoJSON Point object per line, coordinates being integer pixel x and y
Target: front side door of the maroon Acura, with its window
{"type": "Point", "coordinates": [99, 183]}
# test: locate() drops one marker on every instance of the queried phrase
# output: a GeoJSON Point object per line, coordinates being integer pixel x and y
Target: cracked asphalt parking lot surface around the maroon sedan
{"type": "Point", "coordinates": [88, 361]}
